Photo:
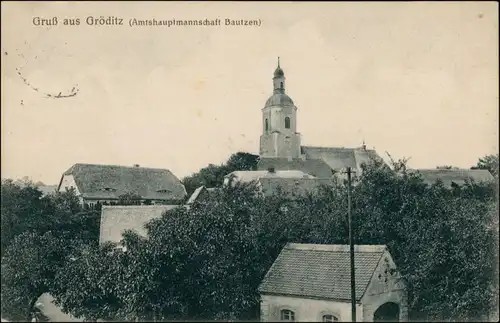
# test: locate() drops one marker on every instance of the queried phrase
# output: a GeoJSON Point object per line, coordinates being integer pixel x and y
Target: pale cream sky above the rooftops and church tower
{"type": "Point", "coordinates": [416, 80]}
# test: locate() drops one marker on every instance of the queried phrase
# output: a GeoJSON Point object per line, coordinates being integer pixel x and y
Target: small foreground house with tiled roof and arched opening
{"type": "Point", "coordinates": [311, 283]}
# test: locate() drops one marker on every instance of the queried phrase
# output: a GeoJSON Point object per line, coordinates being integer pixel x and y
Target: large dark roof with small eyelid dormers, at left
{"type": "Point", "coordinates": [109, 182]}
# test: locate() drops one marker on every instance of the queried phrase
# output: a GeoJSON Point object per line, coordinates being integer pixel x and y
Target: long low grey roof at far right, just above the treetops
{"type": "Point", "coordinates": [457, 176]}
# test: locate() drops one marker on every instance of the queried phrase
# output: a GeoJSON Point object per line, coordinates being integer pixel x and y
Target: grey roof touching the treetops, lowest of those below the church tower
{"type": "Point", "coordinates": [293, 186]}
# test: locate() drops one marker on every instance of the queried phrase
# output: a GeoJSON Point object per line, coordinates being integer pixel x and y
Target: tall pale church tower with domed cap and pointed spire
{"type": "Point", "coordinates": [279, 137]}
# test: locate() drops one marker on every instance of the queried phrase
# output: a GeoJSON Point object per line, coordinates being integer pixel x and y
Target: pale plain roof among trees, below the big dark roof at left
{"type": "Point", "coordinates": [116, 219]}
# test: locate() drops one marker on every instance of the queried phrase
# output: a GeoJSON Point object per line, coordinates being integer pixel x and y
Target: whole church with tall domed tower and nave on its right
{"type": "Point", "coordinates": [280, 143]}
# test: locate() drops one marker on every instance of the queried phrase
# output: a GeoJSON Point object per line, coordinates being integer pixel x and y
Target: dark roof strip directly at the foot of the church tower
{"type": "Point", "coordinates": [315, 167]}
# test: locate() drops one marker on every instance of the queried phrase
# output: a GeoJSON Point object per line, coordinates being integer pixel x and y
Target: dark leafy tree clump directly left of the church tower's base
{"type": "Point", "coordinates": [213, 175]}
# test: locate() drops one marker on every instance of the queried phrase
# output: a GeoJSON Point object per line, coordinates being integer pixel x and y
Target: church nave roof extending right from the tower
{"type": "Point", "coordinates": [340, 158]}
